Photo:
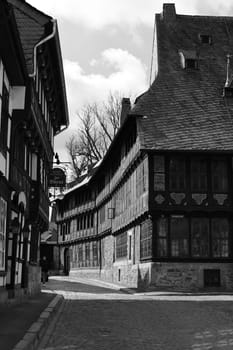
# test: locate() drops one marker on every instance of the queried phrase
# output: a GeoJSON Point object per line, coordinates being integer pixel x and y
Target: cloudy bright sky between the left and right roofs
{"type": "Point", "coordinates": [107, 47]}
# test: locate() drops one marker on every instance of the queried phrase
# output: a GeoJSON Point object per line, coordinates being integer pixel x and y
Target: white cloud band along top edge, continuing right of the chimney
{"type": "Point", "coordinates": [99, 14]}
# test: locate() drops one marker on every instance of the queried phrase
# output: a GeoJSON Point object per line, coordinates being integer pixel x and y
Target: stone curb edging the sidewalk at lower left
{"type": "Point", "coordinates": [35, 333]}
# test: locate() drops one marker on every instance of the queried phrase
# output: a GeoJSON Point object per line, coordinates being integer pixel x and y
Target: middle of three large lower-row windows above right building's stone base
{"type": "Point", "coordinates": [200, 237]}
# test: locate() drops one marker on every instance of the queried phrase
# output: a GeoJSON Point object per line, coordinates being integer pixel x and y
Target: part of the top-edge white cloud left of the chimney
{"type": "Point", "coordinates": [98, 14]}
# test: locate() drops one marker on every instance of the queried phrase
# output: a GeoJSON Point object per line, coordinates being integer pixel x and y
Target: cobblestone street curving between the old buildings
{"type": "Point", "coordinates": [94, 317]}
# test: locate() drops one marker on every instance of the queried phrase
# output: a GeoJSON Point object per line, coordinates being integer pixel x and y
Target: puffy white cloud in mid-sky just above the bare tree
{"type": "Point", "coordinates": [128, 76]}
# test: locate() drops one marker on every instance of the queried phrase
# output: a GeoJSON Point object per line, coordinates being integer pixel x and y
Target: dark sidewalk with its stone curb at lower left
{"type": "Point", "coordinates": [23, 323]}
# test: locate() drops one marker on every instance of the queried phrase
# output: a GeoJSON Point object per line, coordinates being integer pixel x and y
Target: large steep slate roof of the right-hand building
{"type": "Point", "coordinates": [184, 109]}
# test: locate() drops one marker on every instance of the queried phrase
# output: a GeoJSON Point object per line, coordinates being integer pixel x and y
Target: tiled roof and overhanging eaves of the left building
{"type": "Point", "coordinates": [33, 26]}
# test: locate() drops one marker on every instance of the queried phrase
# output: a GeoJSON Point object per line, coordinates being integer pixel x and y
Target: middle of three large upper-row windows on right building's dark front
{"type": "Point", "coordinates": [198, 176]}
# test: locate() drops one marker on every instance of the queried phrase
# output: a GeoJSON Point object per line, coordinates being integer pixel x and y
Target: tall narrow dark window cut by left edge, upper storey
{"type": "Point", "coordinates": [4, 118]}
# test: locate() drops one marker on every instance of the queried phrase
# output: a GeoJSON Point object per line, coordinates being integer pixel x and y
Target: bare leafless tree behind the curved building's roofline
{"type": "Point", "coordinates": [98, 124]}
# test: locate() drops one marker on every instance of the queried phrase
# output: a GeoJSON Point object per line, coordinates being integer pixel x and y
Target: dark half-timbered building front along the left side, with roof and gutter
{"type": "Point", "coordinates": [34, 110]}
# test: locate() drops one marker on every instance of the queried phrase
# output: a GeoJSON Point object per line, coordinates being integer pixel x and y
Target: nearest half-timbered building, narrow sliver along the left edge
{"type": "Point", "coordinates": [12, 96]}
